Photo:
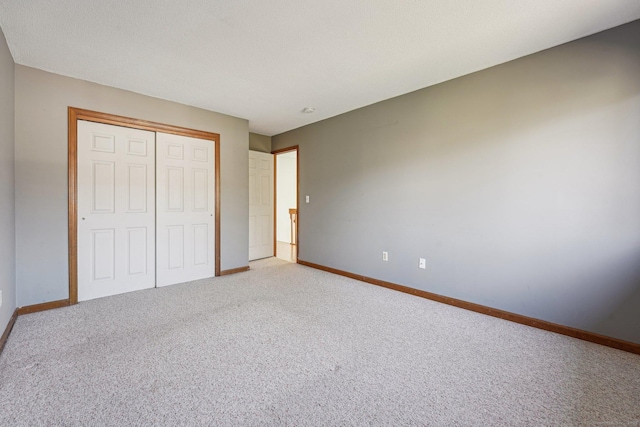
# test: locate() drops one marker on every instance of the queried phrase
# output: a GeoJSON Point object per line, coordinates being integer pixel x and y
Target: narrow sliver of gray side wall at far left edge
{"type": "Point", "coordinates": [7, 208]}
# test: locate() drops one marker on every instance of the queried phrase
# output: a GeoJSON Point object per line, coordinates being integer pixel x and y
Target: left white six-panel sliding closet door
{"type": "Point", "coordinates": [116, 210]}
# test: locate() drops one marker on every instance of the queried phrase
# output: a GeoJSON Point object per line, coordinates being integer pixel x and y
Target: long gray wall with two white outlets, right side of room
{"type": "Point", "coordinates": [519, 184]}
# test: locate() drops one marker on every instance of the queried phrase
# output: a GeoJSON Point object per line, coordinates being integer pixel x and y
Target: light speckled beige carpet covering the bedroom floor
{"type": "Point", "coordinates": [284, 344]}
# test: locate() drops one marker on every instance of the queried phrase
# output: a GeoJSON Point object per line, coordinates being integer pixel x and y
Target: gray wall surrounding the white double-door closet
{"type": "Point", "coordinates": [41, 172]}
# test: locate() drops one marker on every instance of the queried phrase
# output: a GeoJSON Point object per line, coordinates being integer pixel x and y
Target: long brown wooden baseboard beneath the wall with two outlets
{"type": "Point", "coordinates": [506, 315]}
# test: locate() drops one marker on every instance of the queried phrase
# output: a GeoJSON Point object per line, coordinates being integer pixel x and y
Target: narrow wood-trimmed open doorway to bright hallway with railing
{"type": "Point", "coordinates": [286, 206]}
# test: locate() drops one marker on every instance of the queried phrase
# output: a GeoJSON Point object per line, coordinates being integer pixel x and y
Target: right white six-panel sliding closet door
{"type": "Point", "coordinates": [185, 207]}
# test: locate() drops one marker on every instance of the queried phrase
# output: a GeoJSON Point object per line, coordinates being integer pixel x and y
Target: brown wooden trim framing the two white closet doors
{"type": "Point", "coordinates": [75, 114]}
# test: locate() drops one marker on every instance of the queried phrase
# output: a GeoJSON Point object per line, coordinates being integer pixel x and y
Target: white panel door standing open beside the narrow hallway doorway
{"type": "Point", "coordinates": [261, 181]}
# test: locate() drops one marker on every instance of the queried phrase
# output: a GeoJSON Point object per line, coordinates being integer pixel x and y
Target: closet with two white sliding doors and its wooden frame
{"type": "Point", "coordinates": [144, 204]}
